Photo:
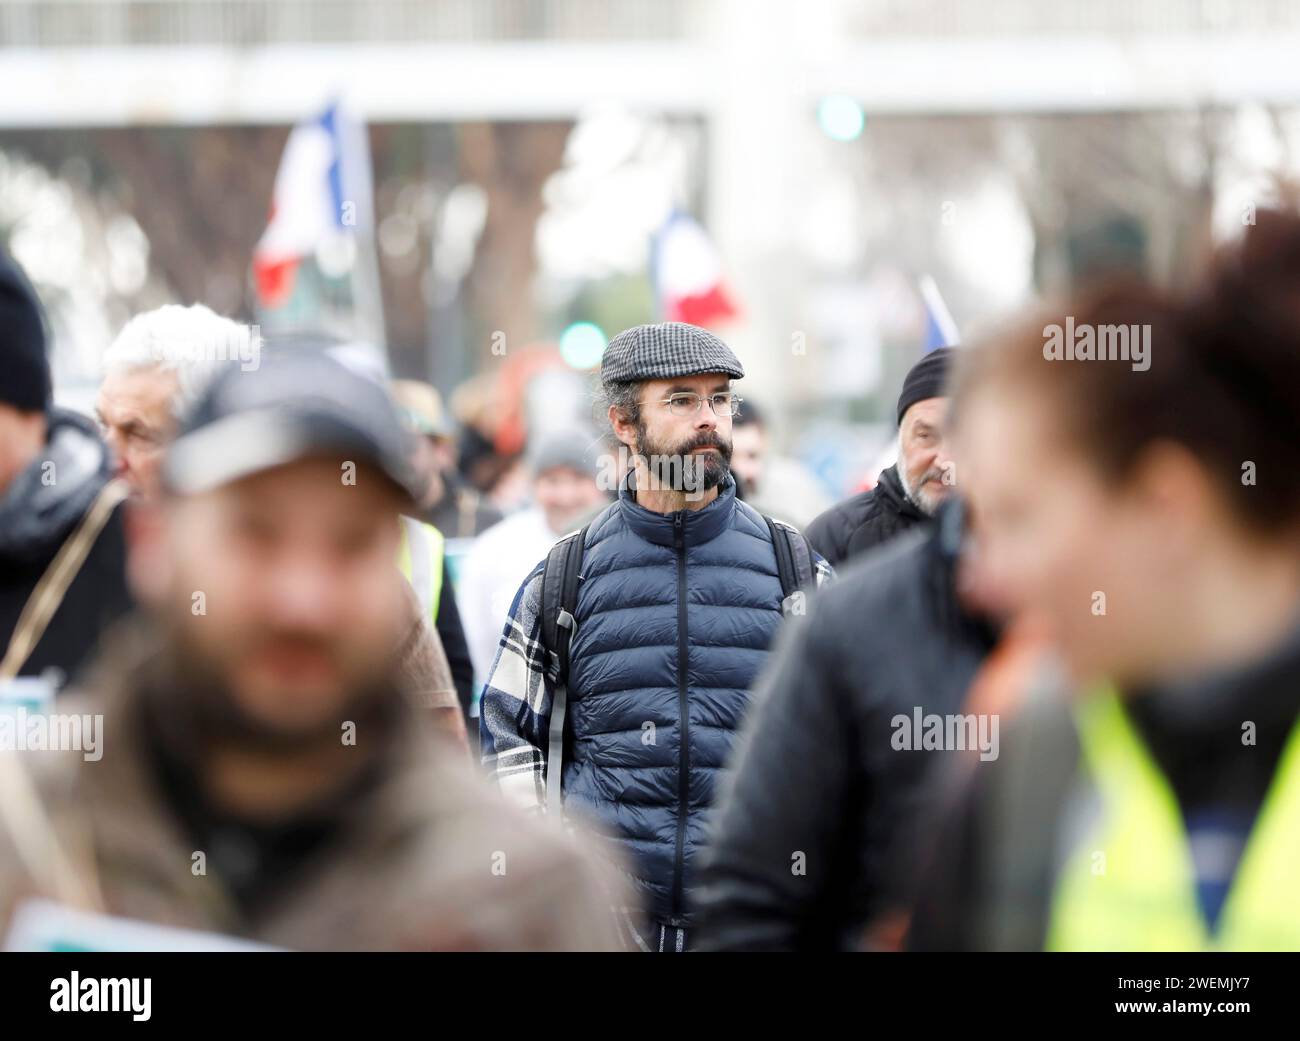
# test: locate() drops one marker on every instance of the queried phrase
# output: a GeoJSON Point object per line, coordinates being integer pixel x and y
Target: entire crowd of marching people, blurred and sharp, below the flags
{"type": "Point", "coordinates": [379, 674]}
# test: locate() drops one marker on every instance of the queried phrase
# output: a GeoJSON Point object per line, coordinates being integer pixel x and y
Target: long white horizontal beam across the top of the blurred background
{"type": "Point", "coordinates": [49, 88]}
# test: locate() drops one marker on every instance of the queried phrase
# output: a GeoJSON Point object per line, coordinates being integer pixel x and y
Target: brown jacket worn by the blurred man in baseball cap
{"type": "Point", "coordinates": [432, 861]}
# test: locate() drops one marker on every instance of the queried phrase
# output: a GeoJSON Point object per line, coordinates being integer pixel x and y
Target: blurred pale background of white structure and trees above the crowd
{"type": "Point", "coordinates": [527, 151]}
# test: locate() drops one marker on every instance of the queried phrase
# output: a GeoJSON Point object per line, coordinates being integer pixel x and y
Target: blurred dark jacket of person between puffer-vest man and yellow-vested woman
{"type": "Point", "coordinates": [813, 831]}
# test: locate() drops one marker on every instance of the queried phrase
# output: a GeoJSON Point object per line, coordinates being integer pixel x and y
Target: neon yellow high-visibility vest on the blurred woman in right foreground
{"type": "Point", "coordinates": [1130, 886]}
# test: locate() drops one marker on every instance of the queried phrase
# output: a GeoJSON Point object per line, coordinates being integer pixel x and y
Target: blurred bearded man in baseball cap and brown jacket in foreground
{"type": "Point", "coordinates": [263, 773]}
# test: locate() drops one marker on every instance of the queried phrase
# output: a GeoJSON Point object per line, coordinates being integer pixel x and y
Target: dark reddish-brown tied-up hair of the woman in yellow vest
{"type": "Point", "coordinates": [1223, 378]}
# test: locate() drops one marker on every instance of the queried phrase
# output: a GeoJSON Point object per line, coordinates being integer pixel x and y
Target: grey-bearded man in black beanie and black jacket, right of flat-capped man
{"type": "Point", "coordinates": [908, 493]}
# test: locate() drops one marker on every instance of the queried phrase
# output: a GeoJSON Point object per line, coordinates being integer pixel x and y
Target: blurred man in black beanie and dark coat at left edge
{"type": "Point", "coordinates": [63, 576]}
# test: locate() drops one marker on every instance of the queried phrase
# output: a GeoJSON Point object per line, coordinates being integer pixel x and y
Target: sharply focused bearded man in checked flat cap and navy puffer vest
{"type": "Point", "coordinates": [678, 602]}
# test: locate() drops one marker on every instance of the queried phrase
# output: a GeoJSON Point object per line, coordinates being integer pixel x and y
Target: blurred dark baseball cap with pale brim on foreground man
{"type": "Point", "coordinates": [294, 406]}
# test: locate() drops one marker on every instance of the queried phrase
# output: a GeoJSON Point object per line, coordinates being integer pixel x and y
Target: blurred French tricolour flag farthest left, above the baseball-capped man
{"type": "Point", "coordinates": [322, 189]}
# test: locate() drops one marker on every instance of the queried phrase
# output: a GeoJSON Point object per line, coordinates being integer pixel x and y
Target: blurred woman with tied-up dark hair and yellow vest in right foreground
{"type": "Point", "coordinates": [1152, 803]}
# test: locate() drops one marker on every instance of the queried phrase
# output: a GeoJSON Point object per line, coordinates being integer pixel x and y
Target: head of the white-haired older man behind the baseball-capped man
{"type": "Point", "coordinates": [161, 363]}
